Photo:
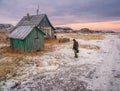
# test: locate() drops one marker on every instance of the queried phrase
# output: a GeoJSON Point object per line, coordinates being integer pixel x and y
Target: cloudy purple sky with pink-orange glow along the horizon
{"type": "Point", "coordinates": [77, 14]}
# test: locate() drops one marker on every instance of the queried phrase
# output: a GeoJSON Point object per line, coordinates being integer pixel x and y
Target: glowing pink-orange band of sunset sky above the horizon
{"type": "Point", "coordinates": [111, 25]}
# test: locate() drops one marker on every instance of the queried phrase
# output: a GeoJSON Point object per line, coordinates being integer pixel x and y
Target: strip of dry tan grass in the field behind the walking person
{"type": "Point", "coordinates": [87, 36]}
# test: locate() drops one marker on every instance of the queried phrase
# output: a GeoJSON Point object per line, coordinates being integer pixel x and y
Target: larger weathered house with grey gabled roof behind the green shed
{"type": "Point", "coordinates": [41, 21]}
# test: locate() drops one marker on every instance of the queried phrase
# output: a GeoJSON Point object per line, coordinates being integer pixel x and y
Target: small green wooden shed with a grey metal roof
{"type": "Point", "coordinates": [27, 38]}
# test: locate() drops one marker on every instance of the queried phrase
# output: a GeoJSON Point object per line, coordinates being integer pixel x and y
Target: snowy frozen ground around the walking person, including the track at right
{"type": "Point", "coordinates": [94, 70]}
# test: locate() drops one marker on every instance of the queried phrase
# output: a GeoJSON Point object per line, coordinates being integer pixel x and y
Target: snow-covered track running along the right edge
{"type": "Point", "coordinates": [104, 77]}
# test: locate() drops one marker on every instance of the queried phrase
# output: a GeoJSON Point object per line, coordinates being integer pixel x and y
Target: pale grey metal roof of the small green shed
{"type": "Point", "coordinates": [21, 32]}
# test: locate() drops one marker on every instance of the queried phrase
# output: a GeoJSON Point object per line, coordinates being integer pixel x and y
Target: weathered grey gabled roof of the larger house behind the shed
{"type": "Point", "coordinates": [33, 20]}
